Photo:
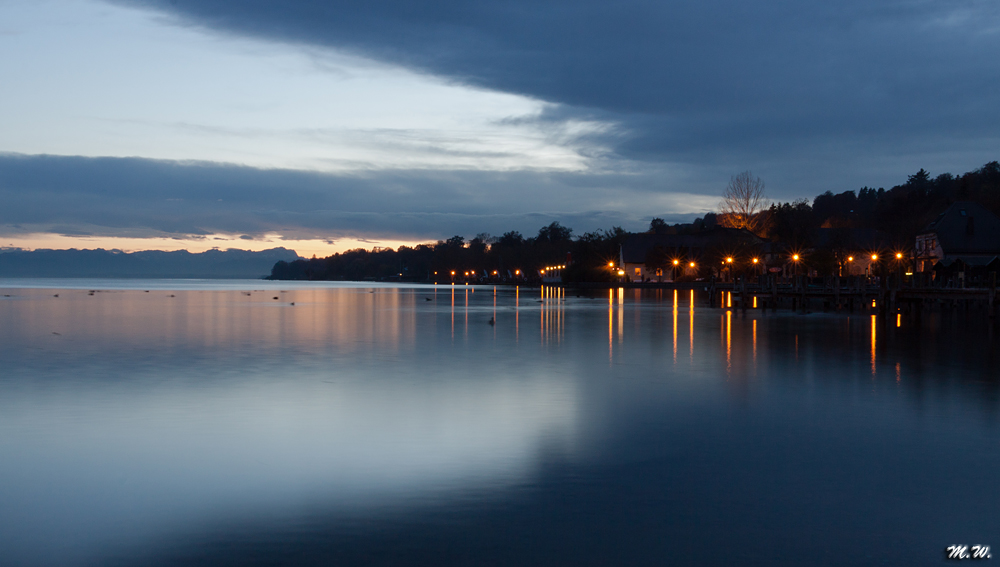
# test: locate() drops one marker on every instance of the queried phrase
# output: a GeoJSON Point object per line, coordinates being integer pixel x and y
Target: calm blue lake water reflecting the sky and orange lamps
{"type": "Point", "coordinates": [206, 423]}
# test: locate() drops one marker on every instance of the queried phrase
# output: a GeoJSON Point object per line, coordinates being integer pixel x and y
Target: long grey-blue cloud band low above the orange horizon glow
{"type": "Point", "coordinates": [137, 197]}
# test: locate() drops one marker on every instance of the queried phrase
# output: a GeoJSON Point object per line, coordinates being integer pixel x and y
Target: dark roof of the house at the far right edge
{"type": "Point", "coordinates": [966, 228]}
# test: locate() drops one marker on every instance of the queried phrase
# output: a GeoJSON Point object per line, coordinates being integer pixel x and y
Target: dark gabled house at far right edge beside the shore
{"type": "Point", "coordinates": [965, 237]}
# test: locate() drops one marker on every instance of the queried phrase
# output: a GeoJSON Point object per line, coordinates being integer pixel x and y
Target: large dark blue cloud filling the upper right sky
{"type": "Point", "coordinates": [721, 84]}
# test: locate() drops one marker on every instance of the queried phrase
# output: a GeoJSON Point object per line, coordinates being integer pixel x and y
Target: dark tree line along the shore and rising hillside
{"type": "Point", "coordinates": [899, 213]}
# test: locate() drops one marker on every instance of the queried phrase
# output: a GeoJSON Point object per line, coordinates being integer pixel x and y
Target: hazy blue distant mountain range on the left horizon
{"type": "Point", "coordinates": [102, 263]}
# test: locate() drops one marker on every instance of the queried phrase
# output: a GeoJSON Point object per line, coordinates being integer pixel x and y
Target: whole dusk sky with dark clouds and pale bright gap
{"type": "Point", "coordinates": [323, 125]}
